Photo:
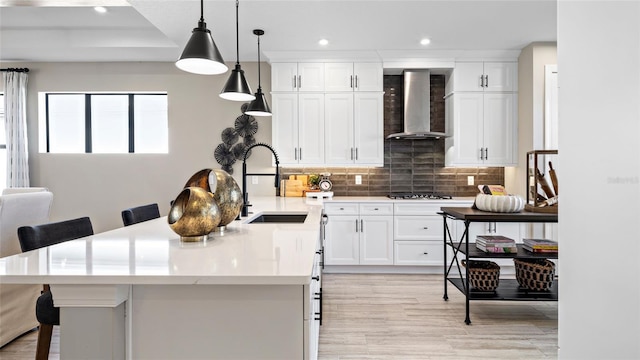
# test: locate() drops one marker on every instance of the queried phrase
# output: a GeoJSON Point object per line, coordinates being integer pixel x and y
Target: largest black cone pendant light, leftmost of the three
{"type": "Point", "coordinates": [201, 55]}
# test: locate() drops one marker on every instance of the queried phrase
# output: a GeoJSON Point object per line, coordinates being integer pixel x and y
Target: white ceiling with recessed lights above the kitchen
{"type": "Point", "coordinates": [156, 30]}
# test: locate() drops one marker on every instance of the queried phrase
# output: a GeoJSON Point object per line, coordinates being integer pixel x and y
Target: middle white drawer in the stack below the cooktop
{"type": "Point", "coordinates": [418, 227]}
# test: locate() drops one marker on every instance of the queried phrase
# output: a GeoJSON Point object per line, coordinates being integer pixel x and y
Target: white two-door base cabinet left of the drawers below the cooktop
{"type": "Point", "coordinates": [359, 234]}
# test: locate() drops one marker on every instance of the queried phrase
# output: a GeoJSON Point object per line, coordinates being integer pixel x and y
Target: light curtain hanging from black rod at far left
{"type": "Point", "coordinates": [15, 115]}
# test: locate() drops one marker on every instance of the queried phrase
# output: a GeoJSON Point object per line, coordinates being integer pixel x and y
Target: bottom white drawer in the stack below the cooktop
{"type": "Point", "coordinates": [419, 253]}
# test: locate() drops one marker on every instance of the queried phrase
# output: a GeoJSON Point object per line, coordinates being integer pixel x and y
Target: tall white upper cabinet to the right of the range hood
{"type": "Point", "coordinates": [481, 114]}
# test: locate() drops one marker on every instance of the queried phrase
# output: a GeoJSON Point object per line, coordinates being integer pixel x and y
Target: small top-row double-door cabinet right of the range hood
{"type": "Point", "coordinates": [485, 76]}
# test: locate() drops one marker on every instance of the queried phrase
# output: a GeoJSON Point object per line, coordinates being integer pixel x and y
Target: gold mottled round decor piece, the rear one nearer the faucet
{"type": "Point", "coordinates": [226, 193]}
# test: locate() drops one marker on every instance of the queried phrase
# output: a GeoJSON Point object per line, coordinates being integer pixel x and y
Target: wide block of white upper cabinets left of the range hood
{"type": "Point", "coordinates": [349, 129]}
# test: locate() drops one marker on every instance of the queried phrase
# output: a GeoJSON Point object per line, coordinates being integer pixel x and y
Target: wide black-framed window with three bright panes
{"type": "Point", "coordinates": [106, 123]}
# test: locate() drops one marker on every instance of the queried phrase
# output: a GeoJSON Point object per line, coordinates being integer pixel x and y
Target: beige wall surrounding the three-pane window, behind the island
{"type": "Point", "coordinates": [101, 186]}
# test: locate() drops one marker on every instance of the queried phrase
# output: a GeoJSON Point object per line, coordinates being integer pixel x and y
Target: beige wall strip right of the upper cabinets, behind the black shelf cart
{"type": "Point", "coordinates": [531, 64]}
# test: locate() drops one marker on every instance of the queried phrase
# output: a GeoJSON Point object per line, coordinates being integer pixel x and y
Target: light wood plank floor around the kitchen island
{"type": "Point", "coordinates": [394, 317]}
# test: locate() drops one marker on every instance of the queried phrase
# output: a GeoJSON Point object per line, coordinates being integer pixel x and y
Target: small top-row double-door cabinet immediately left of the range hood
{"type": "Point", "coordinates": [353, 77]}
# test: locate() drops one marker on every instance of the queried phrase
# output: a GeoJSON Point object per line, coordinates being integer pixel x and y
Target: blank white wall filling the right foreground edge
{"type": "Point", "coordinates": [599, 132]}
